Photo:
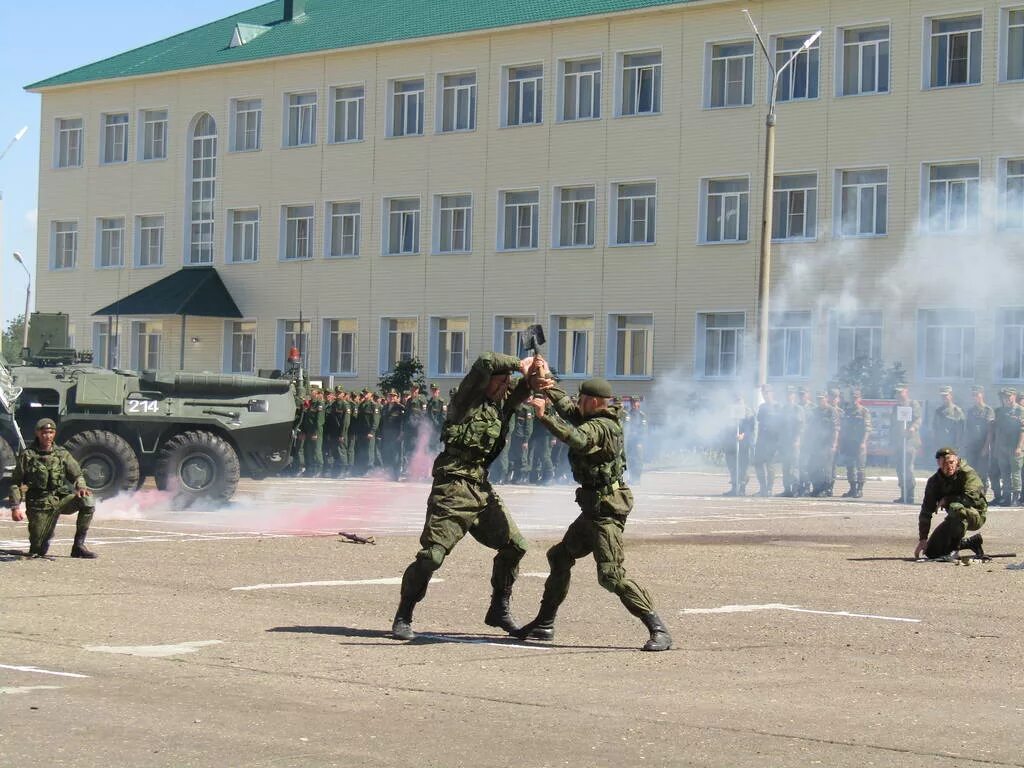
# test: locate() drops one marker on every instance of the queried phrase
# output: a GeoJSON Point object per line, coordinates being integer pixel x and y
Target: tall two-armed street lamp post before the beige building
{"type": "Point", "coordinates": [764, 266]}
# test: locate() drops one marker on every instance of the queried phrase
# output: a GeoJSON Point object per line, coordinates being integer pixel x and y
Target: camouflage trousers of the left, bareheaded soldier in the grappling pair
{"type": "Point", "coordinates": [458, 506]}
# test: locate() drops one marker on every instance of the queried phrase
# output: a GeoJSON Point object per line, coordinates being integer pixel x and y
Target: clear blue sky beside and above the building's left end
{"type": "Point", "coordinates": [40, 39]}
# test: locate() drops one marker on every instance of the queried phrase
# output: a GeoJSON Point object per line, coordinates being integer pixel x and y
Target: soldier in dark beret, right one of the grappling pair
{"type": "Point", "coordinates": [594, 434]}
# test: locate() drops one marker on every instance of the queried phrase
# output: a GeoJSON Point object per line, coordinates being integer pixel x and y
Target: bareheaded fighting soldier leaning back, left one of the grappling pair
{"type": "Point", "coordinates": [462, 500]}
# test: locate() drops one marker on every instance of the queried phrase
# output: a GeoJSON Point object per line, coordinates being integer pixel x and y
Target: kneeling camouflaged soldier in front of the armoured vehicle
{"type": "Point", "coordinates": [55, 487]}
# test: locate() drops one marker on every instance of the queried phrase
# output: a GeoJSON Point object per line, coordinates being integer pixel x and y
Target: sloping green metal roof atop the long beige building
{"type": "Point", "coordinates": [331, 25]}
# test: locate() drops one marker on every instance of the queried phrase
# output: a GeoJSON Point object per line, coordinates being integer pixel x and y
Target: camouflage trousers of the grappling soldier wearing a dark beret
{"type": "Point", "coordinates": [600, 532]}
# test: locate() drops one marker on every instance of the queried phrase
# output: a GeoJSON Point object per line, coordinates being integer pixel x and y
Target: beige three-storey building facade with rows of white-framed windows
{"type": "Point", "coordinates": [601, 176]}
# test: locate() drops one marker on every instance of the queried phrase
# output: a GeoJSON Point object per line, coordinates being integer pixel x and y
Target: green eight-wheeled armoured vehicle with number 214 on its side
{"type": "Point", "coordinates": [195, 434]}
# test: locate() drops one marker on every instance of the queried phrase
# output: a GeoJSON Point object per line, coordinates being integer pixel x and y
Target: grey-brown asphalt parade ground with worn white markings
{"type": "Point", "coordinates": [255, 636]}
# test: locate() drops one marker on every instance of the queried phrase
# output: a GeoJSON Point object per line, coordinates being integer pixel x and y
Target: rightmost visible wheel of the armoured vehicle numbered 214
{"type": "Point", "coordinates": [198, 466]}
